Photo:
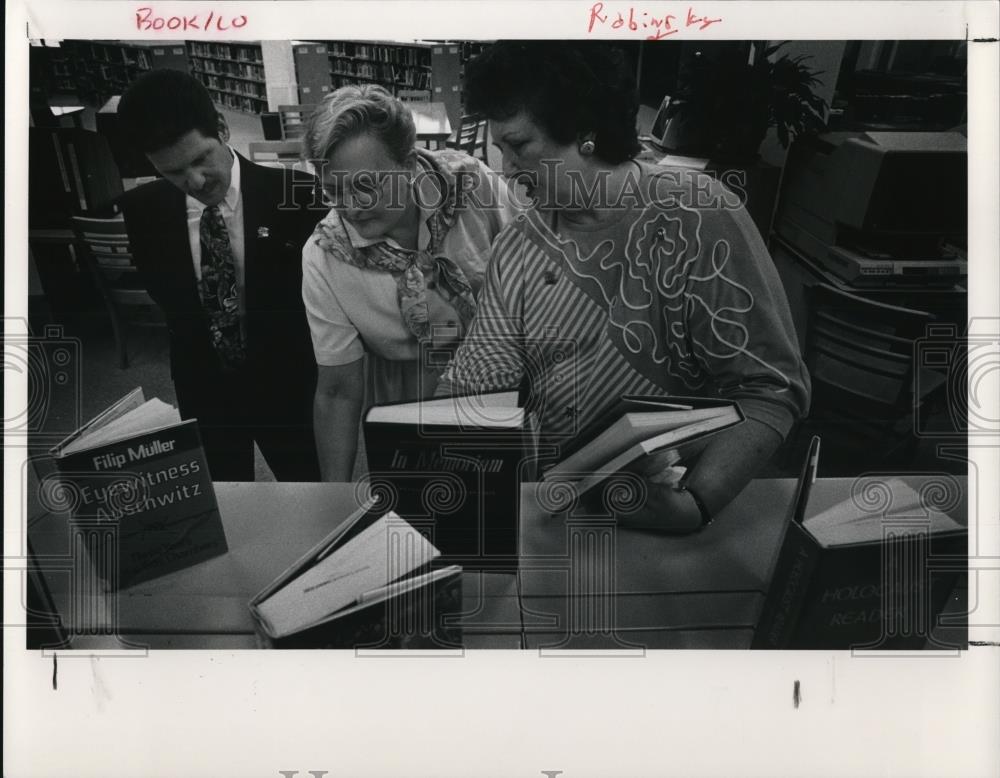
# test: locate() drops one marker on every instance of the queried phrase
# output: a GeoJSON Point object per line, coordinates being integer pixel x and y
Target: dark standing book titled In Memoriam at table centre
{"type": "Point", "coordinates": [453, 468]}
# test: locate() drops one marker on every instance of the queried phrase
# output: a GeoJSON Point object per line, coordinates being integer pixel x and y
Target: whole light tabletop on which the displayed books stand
{"type": "Point", "coordinates": [581, 582]}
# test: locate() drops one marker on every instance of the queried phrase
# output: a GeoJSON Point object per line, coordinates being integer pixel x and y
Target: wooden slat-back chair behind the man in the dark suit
{"type": "Point", "coordinates": [105, 246]}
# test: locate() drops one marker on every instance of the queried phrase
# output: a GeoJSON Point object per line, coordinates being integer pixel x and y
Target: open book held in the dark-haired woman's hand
{"type": "Point", "coordinates": [638, 425]}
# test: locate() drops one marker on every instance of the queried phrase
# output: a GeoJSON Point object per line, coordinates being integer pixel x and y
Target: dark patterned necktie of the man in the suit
{"type": "Point", "coordinates": [218, 289]}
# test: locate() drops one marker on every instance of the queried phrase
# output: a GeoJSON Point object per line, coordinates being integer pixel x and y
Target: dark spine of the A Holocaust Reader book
{"type": "Point", "coordinates": [789, 586]}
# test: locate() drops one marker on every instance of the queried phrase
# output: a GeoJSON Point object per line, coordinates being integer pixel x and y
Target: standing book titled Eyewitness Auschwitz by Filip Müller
{"type": "Point", "coordinates": [136, 477]}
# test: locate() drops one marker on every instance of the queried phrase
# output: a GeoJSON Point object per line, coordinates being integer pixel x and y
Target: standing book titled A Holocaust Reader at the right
{"type": "Point", "coordinates": [853, 579]}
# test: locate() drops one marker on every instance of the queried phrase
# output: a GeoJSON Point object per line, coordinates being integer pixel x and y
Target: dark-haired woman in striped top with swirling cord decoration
{"type": "Point", "coordinates": [624, 278]}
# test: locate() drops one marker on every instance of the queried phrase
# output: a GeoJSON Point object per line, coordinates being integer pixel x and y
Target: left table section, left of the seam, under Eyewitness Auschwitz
{"type": "Point", "coordinates": [268, 526]}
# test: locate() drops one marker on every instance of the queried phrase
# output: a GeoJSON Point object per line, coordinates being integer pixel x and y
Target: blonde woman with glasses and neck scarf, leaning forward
{"type": "Point", "coordinates": [392, 272]}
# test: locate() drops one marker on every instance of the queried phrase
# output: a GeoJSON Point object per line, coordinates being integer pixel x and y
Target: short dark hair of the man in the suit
{"type": "Point", "coordinates": [161, 106]}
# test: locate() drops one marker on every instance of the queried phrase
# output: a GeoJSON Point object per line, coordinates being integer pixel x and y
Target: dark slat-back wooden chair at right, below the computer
{"type": "Point", "coordinates": [860, 355]}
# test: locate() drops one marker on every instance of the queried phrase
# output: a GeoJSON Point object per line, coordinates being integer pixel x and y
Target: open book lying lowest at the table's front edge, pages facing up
{"type": "Point", "coordinates": [371, 583]}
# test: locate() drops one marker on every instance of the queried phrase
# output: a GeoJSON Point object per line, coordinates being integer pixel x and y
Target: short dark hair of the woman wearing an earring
{"type": "Point", "coordinates": [569, 88]}
